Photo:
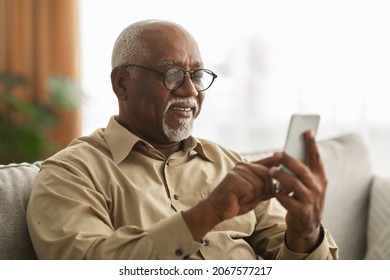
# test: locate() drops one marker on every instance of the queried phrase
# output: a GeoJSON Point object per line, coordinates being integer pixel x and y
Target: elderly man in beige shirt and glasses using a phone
{"type": "Point", "coordinates": [144, 188]}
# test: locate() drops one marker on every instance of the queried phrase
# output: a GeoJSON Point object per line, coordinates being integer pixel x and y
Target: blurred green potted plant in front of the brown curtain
{"type": "Point", "coordinates": [25, 124]}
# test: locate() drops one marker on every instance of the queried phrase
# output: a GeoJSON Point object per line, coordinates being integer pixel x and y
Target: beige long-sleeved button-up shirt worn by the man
{"type": "Point", "coordinates": [112, 195]}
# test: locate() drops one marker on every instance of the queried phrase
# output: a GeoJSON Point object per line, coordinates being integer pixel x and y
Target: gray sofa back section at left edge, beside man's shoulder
{"type": "Point", "coordinates": [15, 186]}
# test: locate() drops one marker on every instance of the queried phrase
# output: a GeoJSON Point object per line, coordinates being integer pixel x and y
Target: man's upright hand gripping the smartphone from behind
{"type": "Point", "coordinates": [303, 197]}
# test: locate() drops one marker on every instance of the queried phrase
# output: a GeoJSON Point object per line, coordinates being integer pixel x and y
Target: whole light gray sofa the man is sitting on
{"type": "Point", "coordinates": [356, 209]}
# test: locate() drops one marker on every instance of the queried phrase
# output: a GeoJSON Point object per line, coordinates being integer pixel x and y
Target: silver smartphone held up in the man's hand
{"type": "Point", "coordinates": [295, 142]}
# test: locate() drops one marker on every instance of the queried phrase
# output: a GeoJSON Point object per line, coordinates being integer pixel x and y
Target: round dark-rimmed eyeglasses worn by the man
{"type": "Point", "coordinates": [174, 77]}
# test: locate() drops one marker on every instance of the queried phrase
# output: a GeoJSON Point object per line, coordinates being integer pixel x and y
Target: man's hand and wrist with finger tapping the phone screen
{"type": "Point", "coordinates": [239, 192]}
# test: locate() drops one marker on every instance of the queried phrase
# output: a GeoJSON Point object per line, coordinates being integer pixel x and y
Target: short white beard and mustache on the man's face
{"type": "Point", "coordinates": [185, 124]}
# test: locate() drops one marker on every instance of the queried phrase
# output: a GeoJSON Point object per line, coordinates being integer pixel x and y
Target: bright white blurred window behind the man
{"type": "Point", "coordinates": [273, 58]}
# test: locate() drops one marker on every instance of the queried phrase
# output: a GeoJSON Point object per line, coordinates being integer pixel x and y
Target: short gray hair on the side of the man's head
{"type": "Point", "coordinates": [129, 47]}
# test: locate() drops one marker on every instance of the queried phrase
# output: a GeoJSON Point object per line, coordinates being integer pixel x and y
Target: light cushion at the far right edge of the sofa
{"type": "Point", "coordinates": [378, 232]}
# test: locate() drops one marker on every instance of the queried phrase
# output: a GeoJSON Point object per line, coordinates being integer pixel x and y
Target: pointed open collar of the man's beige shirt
{"type": "Point", "coordinates": [120, 141]}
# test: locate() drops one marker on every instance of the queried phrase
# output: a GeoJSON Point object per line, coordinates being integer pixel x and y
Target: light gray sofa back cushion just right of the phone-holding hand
{"type": "Point", "coordinates": [349, 173]}
